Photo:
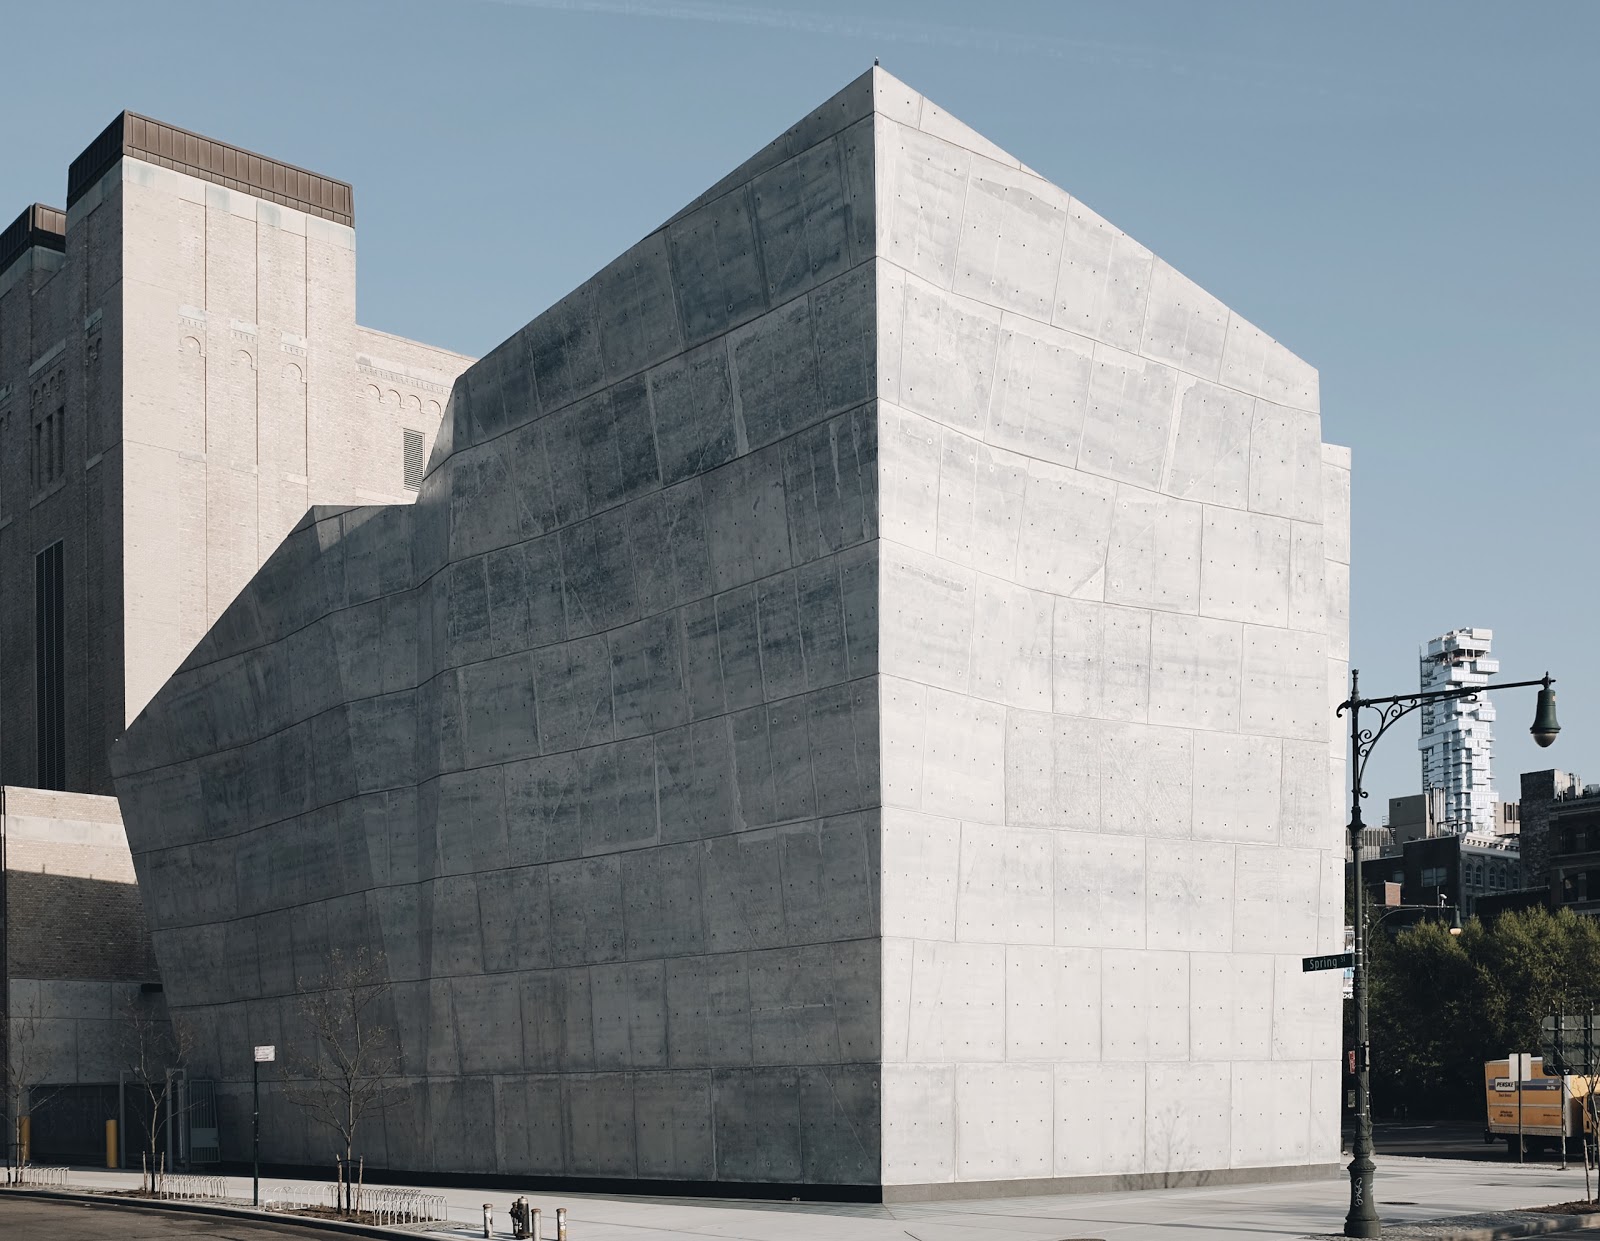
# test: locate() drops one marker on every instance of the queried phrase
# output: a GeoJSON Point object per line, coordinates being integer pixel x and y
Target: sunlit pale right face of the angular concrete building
{"type": "Point", "coordinates": [1113, 624]}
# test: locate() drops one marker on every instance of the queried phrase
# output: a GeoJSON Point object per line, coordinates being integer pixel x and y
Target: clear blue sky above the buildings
{"type": "Point", "coordinates": [1401, 193]}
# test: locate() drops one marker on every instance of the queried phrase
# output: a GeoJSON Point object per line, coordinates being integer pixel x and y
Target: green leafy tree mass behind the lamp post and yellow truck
{"type": "Point", "coordinates": [1442, 1005]}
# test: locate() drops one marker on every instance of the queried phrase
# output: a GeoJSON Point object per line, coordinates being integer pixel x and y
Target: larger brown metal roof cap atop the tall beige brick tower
{"type": "Point", "coordinates": [202, 158]}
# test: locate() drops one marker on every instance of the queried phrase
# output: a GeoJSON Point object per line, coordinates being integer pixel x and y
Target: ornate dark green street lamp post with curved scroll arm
{"type": "Point", "coordinates": [1362, 1219]}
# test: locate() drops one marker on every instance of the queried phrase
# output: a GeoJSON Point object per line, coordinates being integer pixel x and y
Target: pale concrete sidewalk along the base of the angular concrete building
{"type": "Point", "coordinates": [1409, 1191]}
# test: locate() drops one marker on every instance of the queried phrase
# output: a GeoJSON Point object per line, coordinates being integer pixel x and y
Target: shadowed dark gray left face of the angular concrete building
{"type": "Point", "coordinates": [588, 740]}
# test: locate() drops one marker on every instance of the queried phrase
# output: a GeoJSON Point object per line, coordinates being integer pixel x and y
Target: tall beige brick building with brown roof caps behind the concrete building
{"type": "Point", "coordinates": [182, 377]}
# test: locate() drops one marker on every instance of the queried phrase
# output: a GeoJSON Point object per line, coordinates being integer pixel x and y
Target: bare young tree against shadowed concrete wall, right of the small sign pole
{"type": "Point", "coordinates": [351, 1058]}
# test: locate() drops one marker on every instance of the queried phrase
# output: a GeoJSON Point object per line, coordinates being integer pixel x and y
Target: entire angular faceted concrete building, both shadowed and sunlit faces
{"type": "Point", "coordinates": [850, 708]}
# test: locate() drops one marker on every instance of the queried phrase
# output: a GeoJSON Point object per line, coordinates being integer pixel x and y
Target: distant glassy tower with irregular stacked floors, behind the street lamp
{"type": "Point", "coordinates": [1458, 741]}
